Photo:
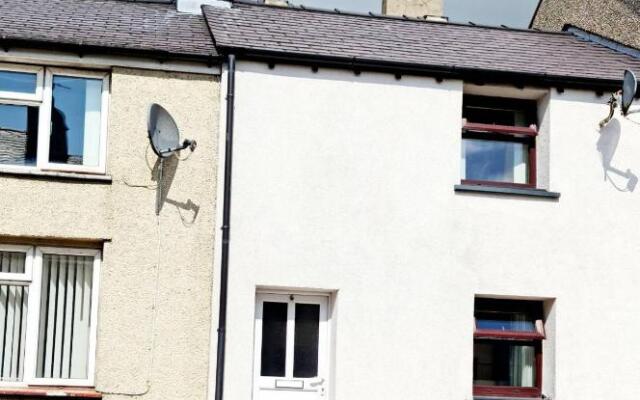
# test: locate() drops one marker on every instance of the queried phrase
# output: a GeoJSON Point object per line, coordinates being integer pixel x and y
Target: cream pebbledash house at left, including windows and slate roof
{"type": "Point", "coordinates": [100, 296]}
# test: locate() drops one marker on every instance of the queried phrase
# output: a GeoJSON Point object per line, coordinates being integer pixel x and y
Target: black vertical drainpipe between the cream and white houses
{"type": "Point", "coordinates": [226, 214]}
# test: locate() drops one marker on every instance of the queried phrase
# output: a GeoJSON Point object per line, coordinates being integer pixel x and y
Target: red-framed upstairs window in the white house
{"type": "Point", "coordinates": [498, 141]}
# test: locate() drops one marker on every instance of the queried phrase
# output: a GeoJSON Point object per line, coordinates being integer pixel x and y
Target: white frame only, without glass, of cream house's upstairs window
{"type": "Point", "coordinates": [44, 101]}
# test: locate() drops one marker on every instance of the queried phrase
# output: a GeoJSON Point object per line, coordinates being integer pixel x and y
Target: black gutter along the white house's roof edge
{"type": "Point", "coordinates": [472, 75]}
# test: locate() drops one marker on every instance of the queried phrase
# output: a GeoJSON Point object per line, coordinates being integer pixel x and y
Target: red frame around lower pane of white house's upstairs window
{"type": "Point", "coordinates": [518, 134]}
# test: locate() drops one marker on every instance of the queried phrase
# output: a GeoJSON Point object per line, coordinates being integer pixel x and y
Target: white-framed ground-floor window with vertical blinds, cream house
{"type": "Point", "coordinates": [48, 310]}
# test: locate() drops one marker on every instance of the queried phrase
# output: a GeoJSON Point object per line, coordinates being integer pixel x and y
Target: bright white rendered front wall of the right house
{"type": "Point", "coordinates": [345, 184]}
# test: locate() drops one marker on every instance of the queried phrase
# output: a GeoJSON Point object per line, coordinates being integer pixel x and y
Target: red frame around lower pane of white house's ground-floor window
{"type": "Point", "coordinates": [533, 338]}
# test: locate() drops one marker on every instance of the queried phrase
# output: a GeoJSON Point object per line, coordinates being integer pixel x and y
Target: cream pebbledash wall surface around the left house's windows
{"type": "Point", "coordinates": [156, 283]}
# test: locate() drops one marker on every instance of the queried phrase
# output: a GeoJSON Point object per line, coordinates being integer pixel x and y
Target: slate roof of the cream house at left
{"type": "Point", "coordinates": [111, 24]}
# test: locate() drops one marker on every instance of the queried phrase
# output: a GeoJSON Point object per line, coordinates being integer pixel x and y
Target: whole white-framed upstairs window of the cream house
{"type": "Point", "coordinates": [52, 119]}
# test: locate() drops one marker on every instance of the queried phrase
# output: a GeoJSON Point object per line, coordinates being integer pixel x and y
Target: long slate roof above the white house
{"type": "Point", "coordinates": [293, 31]}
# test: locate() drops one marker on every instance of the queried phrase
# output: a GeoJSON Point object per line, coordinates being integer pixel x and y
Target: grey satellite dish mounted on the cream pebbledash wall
{"type": "Point", "coordinates": [164, 137]}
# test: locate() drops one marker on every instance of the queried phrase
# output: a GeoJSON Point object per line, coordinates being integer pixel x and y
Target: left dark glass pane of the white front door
{"type": "Point", "coordinates": [274, 339]}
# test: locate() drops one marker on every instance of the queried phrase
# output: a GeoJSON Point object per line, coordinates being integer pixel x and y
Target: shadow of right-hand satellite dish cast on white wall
{"type": "Point", "coordinates": [607, 145]}
